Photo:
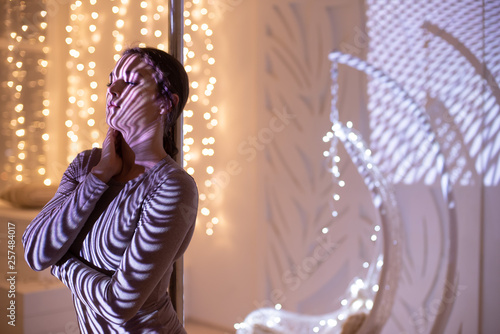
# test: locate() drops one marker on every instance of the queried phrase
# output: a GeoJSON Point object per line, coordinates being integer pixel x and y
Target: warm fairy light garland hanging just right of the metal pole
{"type": "Point", "coordinates": [199, 62]}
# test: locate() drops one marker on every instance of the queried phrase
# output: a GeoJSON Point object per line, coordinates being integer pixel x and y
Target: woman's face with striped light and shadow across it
{"type": "Point", "coordinates": [132, 103]}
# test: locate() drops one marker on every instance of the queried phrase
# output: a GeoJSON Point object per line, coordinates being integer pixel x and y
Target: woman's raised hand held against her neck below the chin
{"type": "Point", "coordinates": [111, 162]}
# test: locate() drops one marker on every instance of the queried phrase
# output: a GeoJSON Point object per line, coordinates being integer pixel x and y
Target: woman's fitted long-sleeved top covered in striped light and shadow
{"type": "Point", "coordinates": [114, 245]}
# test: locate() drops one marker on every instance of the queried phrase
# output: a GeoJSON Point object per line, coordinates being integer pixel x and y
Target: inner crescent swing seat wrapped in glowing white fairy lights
{"type": "Point", "coordinates": [370, 297]}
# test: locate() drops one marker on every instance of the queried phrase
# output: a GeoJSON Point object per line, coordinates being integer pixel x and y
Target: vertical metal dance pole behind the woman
{"type": "Point", "coordinates": [175, 48]}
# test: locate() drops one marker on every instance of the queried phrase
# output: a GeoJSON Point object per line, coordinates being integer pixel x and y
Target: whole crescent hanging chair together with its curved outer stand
{"type": "Point", "coordinates": [376, 292]}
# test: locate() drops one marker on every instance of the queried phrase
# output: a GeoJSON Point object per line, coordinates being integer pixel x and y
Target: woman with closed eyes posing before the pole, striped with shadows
{"type": "Point", "coordinates": [125, 213]}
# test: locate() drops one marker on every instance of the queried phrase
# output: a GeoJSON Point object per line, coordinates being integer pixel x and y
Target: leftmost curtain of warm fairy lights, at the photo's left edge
{"type": "Point", "coordinates": [26, 51]}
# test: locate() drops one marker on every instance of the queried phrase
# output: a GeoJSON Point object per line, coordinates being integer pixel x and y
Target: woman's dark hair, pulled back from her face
{"type": "Point", "coordinates": [171, 77]}
